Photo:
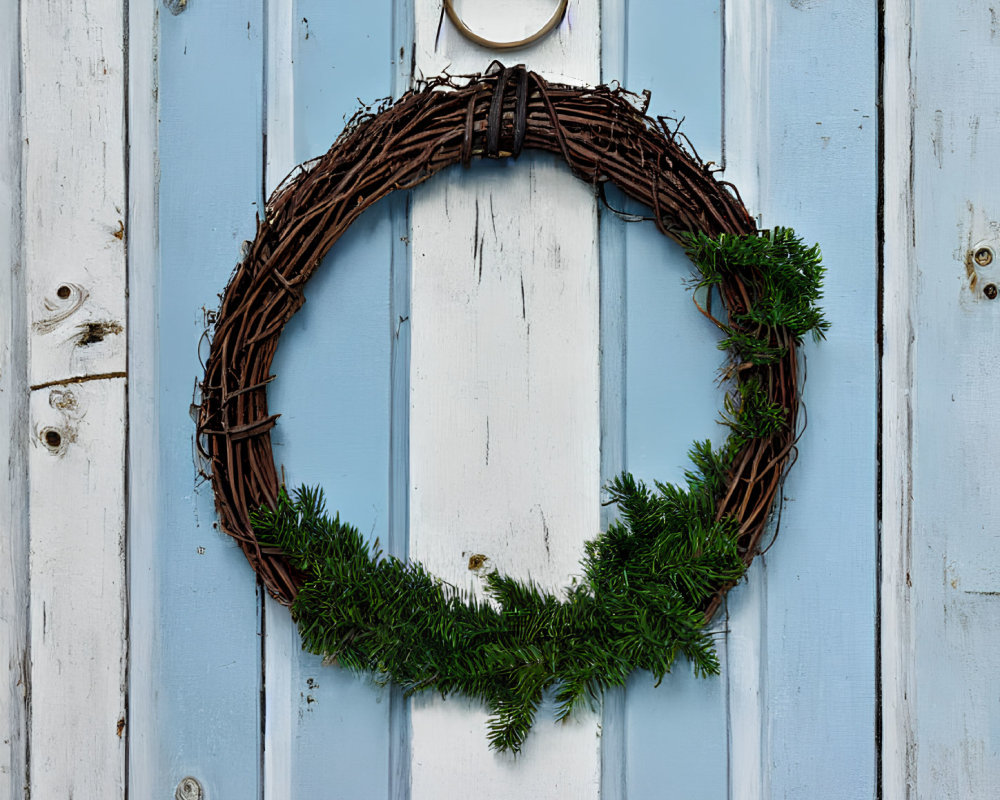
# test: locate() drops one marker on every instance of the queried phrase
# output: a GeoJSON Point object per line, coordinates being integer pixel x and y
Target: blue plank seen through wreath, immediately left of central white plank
{"type": "Point", "coordinates": [333, 391]}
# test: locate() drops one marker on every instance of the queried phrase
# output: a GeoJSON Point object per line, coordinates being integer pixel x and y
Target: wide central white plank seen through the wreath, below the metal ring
{"type": "Point", "coordinates": [504, 397]}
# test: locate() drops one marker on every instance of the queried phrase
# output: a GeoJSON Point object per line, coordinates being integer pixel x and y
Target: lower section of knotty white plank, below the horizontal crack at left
{"type": "Point", "coordinates": [77, 614]}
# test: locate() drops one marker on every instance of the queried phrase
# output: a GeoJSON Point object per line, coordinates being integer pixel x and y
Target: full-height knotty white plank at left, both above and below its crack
{"type": "Point", "coordinates": [74, 182]}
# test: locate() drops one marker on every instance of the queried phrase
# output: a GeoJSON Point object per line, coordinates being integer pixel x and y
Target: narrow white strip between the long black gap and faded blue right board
{"type": "Point", "coordinates": [896, 641]}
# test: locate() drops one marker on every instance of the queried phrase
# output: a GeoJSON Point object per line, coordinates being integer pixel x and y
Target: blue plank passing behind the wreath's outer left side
{"type": "Point", "coordinates": [206, 721]}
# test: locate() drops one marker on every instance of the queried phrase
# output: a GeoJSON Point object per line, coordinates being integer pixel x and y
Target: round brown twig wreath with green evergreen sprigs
{"type": "Point", "coordinates": [649, 583]}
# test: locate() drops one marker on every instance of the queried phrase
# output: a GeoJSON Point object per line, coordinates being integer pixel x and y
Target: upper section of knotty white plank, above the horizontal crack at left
{"type": "Point", "coordinates": [75, 185]}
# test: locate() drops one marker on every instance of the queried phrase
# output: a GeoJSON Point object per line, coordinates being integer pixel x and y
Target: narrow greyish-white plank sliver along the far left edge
{"type": "Point", "coordinates": [13, 423]}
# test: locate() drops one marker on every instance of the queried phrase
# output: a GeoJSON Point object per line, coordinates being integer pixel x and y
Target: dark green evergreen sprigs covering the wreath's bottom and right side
{"type": "Point", "coordinates": [645, 582]}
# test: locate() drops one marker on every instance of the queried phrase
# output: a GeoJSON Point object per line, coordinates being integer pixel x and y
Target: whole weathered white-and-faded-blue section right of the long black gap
{"type": "Point", "coordinates": [941, 595]}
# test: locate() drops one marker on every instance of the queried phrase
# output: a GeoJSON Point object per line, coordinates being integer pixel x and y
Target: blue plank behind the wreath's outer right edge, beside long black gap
{"type": "Point", "coordinates": [820, 178]}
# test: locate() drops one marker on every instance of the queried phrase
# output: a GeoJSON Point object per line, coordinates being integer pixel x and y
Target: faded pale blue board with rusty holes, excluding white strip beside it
{"type": "Point", "coordinates": [953, 547]}
